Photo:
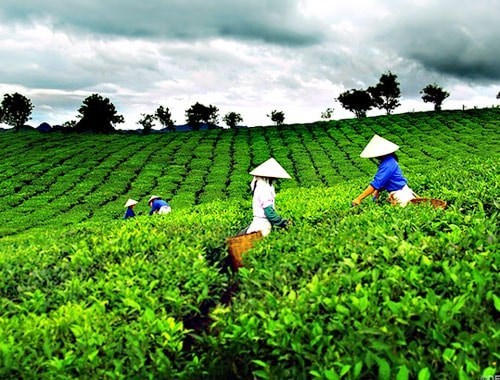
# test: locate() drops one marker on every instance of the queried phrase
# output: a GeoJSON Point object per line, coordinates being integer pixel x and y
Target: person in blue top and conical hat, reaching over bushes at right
{"type": "Point", "coordinates": [389, 175]}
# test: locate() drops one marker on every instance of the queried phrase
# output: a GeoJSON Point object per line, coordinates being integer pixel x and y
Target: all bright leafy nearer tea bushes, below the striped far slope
{"type": "Point", "coordinates": [367, 292]}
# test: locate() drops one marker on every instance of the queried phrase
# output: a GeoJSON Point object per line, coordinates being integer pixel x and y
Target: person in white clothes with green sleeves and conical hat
{"type": "Point", "coordinates": [262, 186]}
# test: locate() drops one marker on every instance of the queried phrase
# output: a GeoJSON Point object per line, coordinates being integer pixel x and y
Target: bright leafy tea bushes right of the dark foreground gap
{"type": "Point", "coordinates": [397, 290]}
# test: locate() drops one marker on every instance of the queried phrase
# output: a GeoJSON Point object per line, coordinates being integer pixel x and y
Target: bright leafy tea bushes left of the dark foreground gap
{"type": "Point", "coordinates": [114, 300]}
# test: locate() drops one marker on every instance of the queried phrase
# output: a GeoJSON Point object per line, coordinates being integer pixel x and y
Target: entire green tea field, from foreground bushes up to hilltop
{"type": "Point", "coordinates": [369, 292]}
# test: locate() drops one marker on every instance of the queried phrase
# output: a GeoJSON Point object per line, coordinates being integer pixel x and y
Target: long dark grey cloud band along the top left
{"type": "Point", "coordinates": [272, 21]}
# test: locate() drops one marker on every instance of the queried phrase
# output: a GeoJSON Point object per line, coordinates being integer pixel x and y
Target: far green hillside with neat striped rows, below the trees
{"type": "Point", "coordinates": [57, 179]}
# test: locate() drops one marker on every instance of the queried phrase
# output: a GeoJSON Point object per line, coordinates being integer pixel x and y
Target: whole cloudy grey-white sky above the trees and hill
{"type": "Point", "coordinates": [246, 56]}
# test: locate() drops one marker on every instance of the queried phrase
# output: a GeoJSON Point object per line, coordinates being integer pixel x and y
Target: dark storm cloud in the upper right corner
{"type": "Point", "coordinates": [455, 39]}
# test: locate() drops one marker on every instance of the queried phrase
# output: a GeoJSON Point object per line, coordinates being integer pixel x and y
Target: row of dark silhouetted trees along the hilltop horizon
{"type": "Point", "coordinates": [98, 114]}
